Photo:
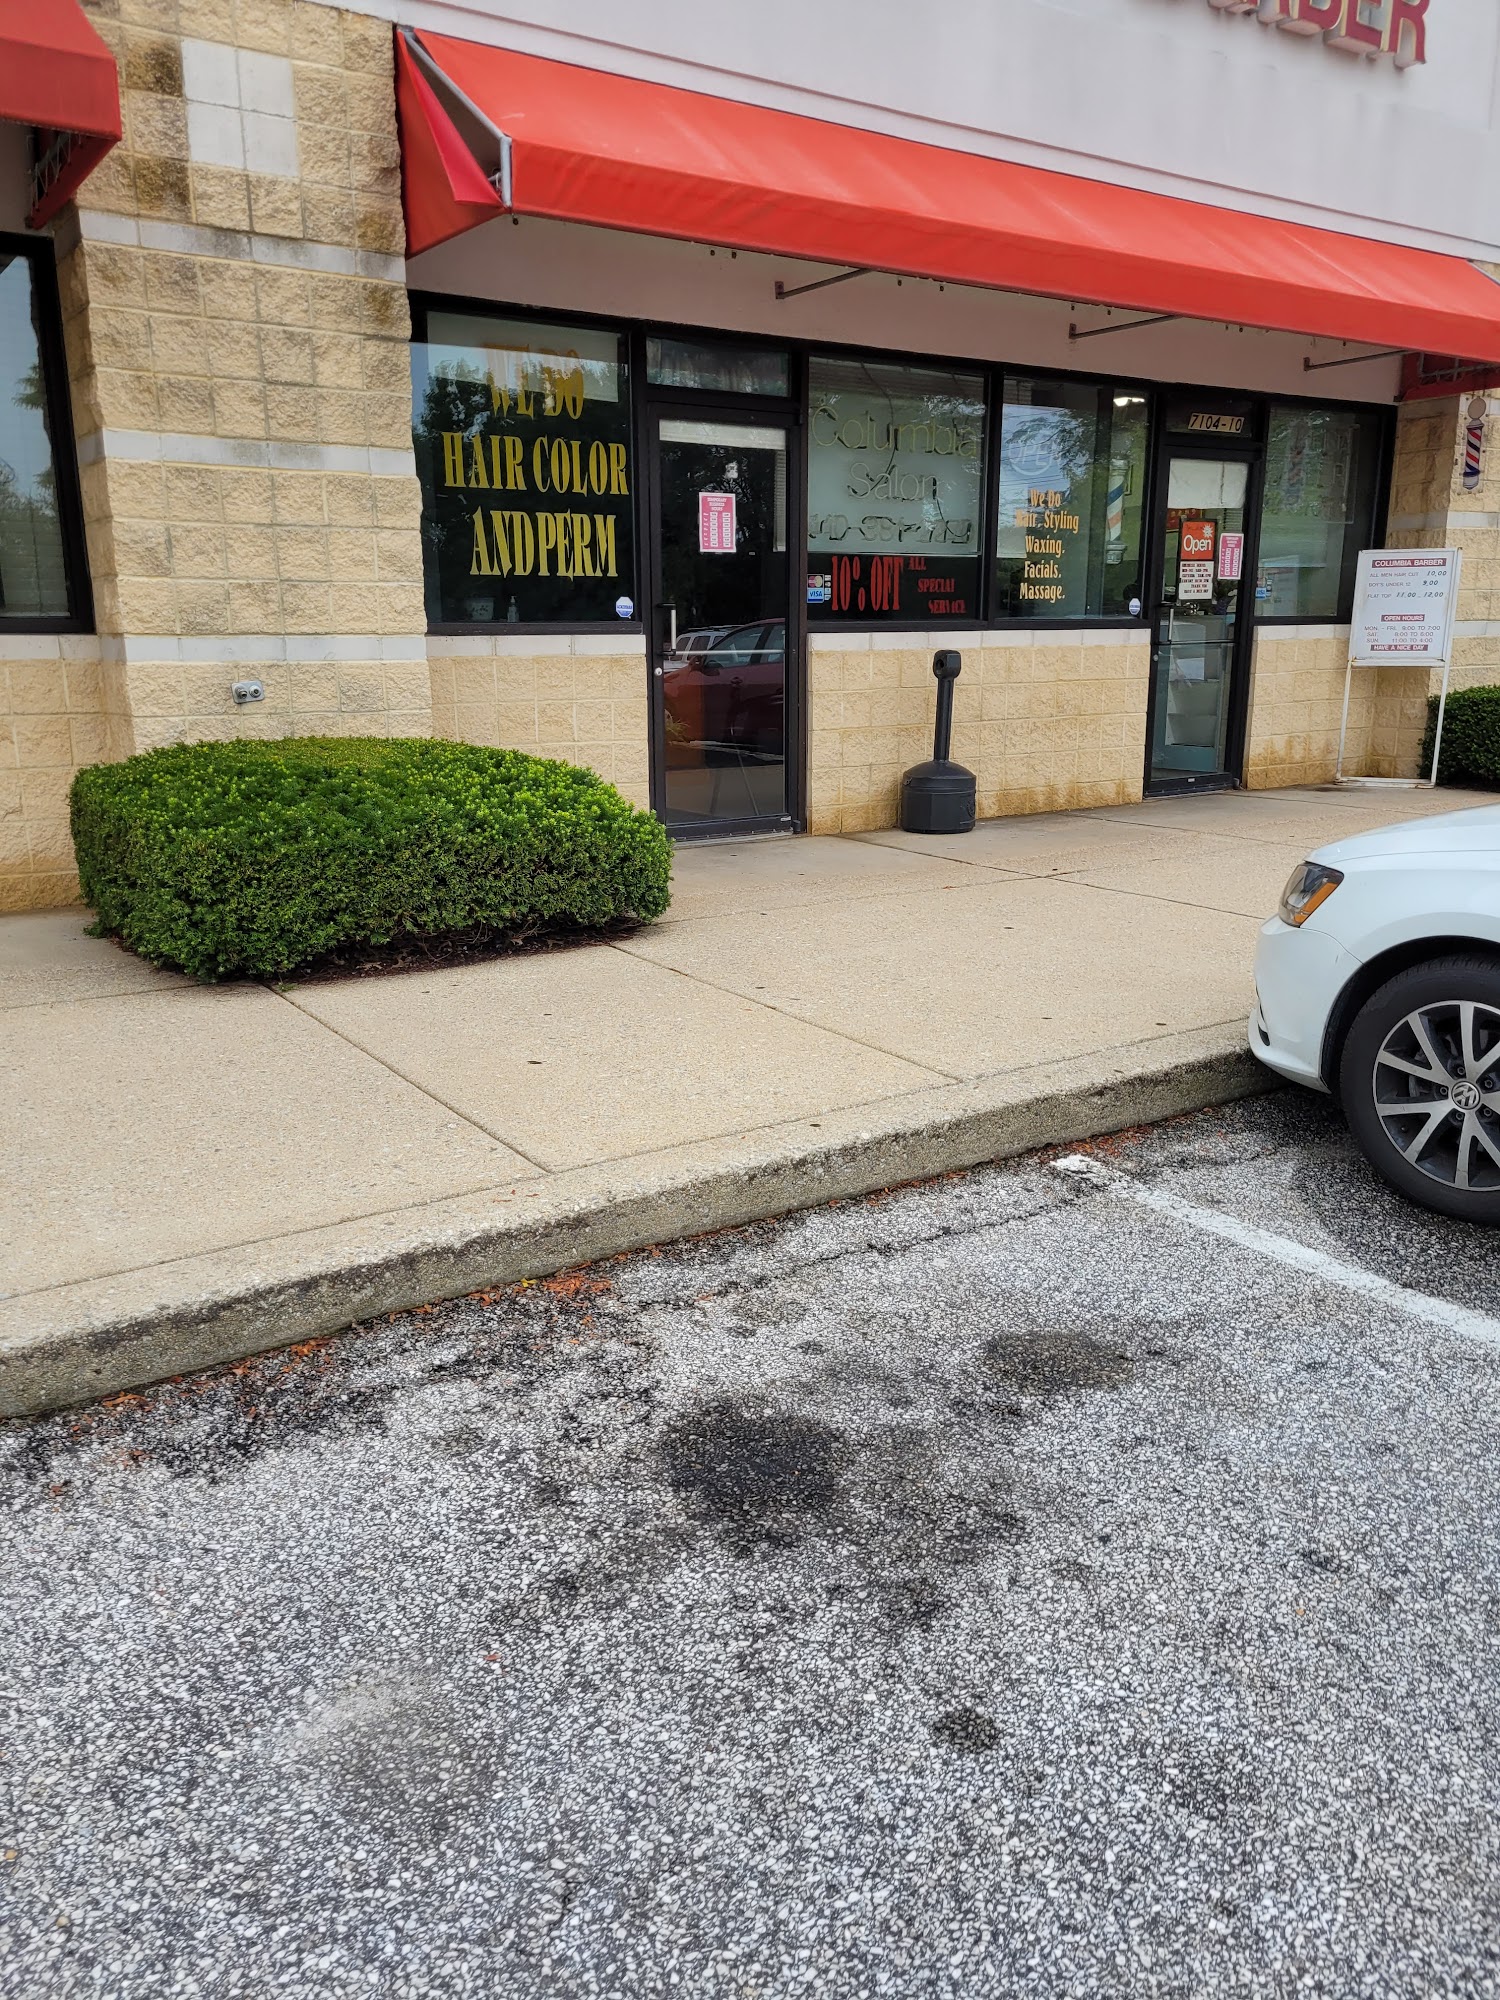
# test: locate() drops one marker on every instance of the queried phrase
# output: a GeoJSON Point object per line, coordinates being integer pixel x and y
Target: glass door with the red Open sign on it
{"type": "Point", "coordinates": [1203, 625]}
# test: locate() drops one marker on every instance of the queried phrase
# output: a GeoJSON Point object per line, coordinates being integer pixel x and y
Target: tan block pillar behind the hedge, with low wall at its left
{"type": "Point", "coordinates": [241, 385]}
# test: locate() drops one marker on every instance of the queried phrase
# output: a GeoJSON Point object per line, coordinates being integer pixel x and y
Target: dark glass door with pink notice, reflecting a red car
{"type": "Point", "coordinates": [721, 635]}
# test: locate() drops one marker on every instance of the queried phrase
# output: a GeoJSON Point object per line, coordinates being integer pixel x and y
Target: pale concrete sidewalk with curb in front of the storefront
{"type": "Point", "coordinates": [197, 1173]}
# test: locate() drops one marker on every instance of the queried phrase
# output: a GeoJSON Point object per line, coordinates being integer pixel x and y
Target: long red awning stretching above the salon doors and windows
{"type": "Point", "coordinates": [625, 155]}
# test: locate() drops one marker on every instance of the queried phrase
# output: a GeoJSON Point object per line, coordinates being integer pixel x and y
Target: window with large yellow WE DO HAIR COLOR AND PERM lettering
{"type": "Point", "coordinates": [523, 449]}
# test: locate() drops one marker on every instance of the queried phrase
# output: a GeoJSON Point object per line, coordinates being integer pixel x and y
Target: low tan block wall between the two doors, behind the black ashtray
{"type": "Point", "coordinates": [1045, 721]}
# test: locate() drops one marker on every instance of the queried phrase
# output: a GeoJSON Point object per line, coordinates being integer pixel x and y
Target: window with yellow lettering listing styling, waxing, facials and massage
{"type": "Point", "coordinates": [1073, 477]}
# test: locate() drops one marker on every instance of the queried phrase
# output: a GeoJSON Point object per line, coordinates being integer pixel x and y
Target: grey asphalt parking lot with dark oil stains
{"type": "Point", "coordinates": [995, 1589]}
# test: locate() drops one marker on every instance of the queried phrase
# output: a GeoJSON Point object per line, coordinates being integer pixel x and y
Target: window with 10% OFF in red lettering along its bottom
{"type": "Point", "coordinates": [895, 491]}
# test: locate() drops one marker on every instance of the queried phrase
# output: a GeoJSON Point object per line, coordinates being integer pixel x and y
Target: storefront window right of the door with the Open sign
{"type": "Point", "coordinates": [1323, 471]}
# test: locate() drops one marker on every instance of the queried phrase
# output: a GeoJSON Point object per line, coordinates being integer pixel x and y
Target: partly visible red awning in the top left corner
{"type": "Point", "coordinates": [57, 75]}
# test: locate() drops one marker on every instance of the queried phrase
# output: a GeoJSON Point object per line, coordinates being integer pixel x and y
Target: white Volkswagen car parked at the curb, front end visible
{"type": "Point", "coordinates": [1379, 981]}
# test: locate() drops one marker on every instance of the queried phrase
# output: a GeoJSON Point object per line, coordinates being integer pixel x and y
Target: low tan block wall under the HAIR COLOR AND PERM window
{"type": "Point", "coordinates": [579, 697]}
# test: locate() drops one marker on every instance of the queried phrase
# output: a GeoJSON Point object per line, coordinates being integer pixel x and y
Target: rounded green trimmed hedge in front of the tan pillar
{"type": "Point", "coordinates": [261, 857]}
